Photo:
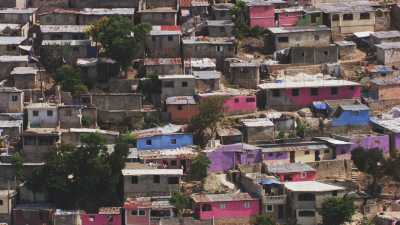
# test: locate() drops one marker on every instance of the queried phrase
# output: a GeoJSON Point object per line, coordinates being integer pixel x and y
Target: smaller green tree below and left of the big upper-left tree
{"type": "Point", "coordinates": [69, 79]}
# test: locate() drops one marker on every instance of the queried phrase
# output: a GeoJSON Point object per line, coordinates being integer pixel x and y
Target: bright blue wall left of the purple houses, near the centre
{"type": "Point", "coordinates": [165, 141]}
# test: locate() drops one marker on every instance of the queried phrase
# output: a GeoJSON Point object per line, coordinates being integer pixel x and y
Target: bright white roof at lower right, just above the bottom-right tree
{"type": "Point", "coordinates": [311, 186]}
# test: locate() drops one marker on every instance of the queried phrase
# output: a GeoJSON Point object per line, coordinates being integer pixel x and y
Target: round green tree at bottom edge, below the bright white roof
{"type": "Point", "coordinates": [337, 211]}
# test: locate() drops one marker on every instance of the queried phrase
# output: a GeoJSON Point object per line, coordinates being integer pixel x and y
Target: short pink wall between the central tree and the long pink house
{"type": "Point", "coordinates": [241, 105]}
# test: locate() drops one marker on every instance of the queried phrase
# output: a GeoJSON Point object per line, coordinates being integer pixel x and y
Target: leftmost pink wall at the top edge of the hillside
{"type": "Point", "coordinates": [262, 16]}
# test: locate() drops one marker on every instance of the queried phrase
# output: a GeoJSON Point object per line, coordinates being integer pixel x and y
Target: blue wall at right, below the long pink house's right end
{"type": "Point", "coordinates": [350, 118]}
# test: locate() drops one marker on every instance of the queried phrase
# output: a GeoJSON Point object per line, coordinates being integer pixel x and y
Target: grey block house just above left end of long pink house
{"type": "Point", "coordinates": [243, 74]}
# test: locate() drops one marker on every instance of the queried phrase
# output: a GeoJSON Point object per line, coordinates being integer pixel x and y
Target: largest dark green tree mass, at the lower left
{"type": "Point", "coordinates": [85, 177]}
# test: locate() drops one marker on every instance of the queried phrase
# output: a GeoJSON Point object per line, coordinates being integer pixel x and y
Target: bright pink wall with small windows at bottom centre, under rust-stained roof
{"type": "Point", "coordinates": [234, 209]}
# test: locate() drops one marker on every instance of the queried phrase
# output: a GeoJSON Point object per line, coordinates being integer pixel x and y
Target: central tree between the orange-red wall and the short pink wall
{"type": "Point", "coordinates": [204, 125]}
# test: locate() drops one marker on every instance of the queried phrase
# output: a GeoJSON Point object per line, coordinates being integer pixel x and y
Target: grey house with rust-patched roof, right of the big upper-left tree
{"type": "Point", "coordinates": [167, 66]}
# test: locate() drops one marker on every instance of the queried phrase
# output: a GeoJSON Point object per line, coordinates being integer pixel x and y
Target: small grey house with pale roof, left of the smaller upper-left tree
{"type": "Point", "coordinates": [25, 77]}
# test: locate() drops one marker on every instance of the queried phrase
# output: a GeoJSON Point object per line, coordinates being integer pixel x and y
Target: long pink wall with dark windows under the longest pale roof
{"type": "Point", "coordinates": [305, 99]}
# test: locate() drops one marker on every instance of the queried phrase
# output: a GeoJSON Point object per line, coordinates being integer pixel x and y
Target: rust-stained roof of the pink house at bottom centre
{"type": "Point", "coordinates": [230, 197]}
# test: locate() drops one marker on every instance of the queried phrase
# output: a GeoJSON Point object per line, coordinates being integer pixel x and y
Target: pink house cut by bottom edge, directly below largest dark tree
{"type": "Point", "coordinates": [105, 216]}
